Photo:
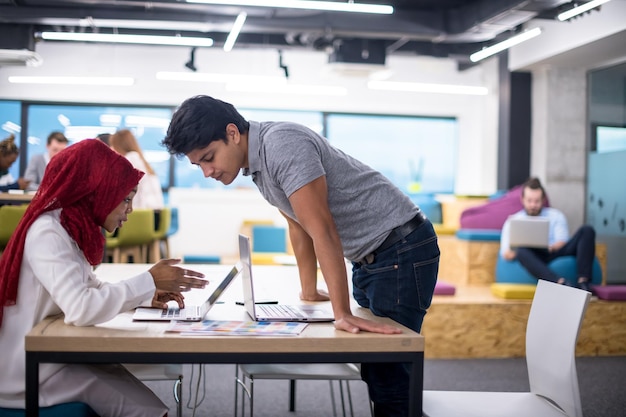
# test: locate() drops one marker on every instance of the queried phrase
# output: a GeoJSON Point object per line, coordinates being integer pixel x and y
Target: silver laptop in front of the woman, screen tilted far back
{"type": "Point", "coordinates": [190, 312]}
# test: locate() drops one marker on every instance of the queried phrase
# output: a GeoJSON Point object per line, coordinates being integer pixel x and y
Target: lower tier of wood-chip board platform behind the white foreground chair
{"type": "Point", "coordinates": [474, 324]}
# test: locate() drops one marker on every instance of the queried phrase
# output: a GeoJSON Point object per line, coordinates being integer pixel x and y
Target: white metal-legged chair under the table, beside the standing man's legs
{"type": "Point", "coordinates": [342, 372]}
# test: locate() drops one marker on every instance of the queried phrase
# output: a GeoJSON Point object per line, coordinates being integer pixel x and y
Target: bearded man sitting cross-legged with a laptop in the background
{"type": "Point", "coordinates": [536, 260]}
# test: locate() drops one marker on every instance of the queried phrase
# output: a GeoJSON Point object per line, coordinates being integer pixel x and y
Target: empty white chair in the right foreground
{"type": "Point", "coordinates": [552, 331]}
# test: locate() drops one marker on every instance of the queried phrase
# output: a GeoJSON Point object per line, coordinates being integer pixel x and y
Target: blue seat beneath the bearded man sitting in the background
{"type": "Point", "coordinates": [565, 266]}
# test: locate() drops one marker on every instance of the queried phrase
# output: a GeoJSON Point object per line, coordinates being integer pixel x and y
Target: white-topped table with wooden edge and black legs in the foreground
{"type": "Point", "coordinates": [125, 341]}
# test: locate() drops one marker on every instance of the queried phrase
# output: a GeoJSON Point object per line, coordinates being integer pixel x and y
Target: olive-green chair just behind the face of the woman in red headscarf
{"type": "Point", "coordinates": [133, 238]}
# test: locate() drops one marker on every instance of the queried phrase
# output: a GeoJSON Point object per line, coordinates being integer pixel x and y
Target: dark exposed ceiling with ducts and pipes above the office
{"type": "Point", "coordinates": [440, 28]}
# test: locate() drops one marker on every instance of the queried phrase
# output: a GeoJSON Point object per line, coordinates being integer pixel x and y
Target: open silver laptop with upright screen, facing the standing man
{"type": "Point", "coordinates": [273, 312]}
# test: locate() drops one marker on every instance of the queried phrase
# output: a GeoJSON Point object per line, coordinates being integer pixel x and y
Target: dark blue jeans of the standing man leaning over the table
{"type": "Point", "coordinates": [398, 284]}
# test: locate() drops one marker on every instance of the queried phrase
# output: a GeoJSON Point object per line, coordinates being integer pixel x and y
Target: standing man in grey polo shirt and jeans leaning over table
{"type": "Point", "coordinates": [336, 207]}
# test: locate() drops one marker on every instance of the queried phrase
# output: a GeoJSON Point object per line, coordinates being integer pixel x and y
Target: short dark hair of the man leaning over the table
{"type": "Point", "coordinates": [199, 121]}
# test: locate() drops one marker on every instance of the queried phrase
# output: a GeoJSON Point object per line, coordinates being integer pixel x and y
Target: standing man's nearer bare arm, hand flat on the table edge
{"type": "Point", "coordinates": [310, 204]}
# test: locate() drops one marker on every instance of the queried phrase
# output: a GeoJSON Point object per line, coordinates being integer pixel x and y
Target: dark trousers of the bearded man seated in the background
{"type": "Point", "coordinates": [582, 245]}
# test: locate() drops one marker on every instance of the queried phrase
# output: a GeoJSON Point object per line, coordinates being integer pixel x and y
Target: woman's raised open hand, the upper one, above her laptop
{"type": "Point", "coordinates": [170, 278]}
